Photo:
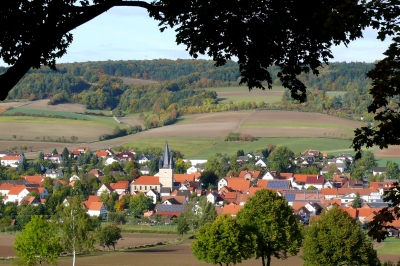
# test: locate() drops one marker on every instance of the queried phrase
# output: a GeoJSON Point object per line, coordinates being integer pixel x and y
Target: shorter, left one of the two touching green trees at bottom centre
{"type": "Point", "coordinates": [223, 241]}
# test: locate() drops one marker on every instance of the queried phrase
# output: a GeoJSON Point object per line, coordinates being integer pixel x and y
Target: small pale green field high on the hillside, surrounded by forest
{"type": "Point", "coordinates": [236, 94]}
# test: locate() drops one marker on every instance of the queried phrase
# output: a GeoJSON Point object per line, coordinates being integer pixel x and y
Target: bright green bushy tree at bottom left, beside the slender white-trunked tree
{"type": "Point", "coordinates": [38, 242]}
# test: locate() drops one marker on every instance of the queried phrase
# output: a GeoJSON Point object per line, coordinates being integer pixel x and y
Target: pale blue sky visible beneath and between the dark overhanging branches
{"type": "Point", "coordinates": [128, 33]}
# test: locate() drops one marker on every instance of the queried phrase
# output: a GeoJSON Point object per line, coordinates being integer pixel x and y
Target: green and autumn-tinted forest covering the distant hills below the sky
{"type": "Point", "coordinates": [180, 88]}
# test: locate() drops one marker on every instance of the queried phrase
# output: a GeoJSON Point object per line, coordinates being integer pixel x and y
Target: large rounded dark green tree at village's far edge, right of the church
{"type": "Point", "coordinates": [280, 160]}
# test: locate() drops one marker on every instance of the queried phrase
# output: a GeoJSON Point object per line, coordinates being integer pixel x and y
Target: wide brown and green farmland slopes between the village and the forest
{"type": "Point", "coordinates": [198, 136]}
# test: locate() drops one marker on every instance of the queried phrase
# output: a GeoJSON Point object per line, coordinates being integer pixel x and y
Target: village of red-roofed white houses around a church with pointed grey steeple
{"type": "Point", "coordinates": [307, 194]}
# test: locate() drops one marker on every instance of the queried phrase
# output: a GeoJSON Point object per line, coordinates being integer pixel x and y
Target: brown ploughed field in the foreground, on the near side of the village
{"type": "Point", "coordinates": [175, 254]}
